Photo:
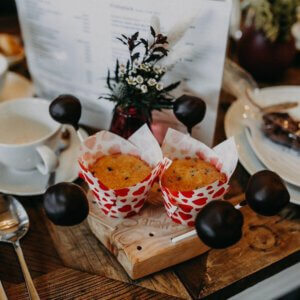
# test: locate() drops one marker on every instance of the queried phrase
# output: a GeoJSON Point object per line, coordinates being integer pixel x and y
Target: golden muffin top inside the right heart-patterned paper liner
{"type": "Point", "coordinates": [190, 174]}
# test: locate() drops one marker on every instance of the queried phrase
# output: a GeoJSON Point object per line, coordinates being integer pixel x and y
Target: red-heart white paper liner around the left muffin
{"type": "Point", "coordinates": [125, 202]}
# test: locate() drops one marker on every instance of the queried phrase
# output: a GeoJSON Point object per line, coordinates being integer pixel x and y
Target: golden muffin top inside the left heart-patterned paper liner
{"type": "Point", "coordinates": [119, 171]}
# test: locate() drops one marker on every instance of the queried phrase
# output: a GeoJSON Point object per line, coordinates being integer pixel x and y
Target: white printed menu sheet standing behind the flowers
{"type": "Point", "coordinates": [70, 44]}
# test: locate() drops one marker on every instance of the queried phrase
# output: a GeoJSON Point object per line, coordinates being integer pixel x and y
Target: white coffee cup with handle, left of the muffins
{"type": "Point", "coordinates": [38, 153]}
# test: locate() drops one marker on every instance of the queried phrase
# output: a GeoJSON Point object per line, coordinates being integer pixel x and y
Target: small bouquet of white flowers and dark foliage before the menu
{"type": "Point", "coordinates": [138, 83]}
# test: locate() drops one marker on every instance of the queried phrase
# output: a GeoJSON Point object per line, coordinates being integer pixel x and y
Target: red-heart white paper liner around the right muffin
{"type": "Point", "coordinates": [183, 206]}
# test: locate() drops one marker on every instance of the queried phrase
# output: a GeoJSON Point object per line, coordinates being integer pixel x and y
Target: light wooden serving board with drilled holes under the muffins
{"type": "Point", "coordinates": [142, 244]}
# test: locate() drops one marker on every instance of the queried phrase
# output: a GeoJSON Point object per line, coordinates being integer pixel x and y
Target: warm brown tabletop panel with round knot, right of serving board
{"type": "Point", "coordinates": [265, 241]}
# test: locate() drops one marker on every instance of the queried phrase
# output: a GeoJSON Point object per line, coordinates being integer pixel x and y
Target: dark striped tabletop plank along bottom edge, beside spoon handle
{"type": "Point", "coordinates": [68, 284]}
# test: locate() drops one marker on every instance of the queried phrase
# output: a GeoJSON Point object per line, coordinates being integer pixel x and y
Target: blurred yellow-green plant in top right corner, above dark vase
{"type": "Point", "coordinates": [275, 17]}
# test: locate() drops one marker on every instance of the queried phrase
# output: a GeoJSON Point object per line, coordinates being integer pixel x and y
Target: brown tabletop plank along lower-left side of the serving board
{"type": "Point", "coordinates": [80, 250]}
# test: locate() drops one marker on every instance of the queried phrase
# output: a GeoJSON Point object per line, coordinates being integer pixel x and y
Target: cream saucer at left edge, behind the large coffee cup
{"type": "Point", "coordinates": [16, 86]}
